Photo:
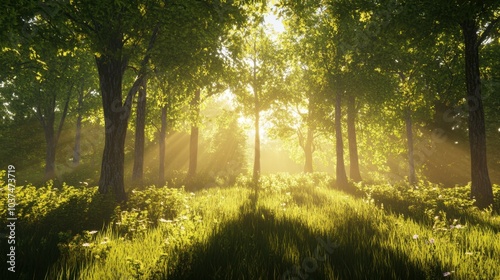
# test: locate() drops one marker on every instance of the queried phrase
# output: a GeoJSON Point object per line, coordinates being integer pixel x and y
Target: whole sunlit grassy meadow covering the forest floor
{"type": "Point", "coordinates": [288, 227]}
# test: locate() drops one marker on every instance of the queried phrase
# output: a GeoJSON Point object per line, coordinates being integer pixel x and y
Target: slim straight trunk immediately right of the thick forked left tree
{"type": "Point", "coordinates": [140, 125]}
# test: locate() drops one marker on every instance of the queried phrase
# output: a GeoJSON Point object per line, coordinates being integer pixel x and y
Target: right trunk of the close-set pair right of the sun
{"type": "Point", "coordinates": [353, 144]}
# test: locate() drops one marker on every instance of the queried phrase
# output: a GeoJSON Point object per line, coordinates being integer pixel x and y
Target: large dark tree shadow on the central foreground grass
{"type": "Point", "coordinates": [258, 245]}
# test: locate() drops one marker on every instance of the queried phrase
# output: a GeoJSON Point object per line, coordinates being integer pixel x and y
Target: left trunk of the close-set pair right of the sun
{"type": "Point", "coordinates": [341, 176]}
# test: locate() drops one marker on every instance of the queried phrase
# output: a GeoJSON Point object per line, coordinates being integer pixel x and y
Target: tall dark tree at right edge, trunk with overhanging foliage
{"type": "Point", "coordinates": [478, 22]}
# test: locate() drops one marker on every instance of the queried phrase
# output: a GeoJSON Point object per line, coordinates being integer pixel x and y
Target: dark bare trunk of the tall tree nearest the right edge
{"type": "Point", "coordinates": [481, 188]}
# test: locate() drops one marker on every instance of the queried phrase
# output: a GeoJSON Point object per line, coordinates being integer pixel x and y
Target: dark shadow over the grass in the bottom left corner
{"type": "Point", "coordinates": [36, 243]}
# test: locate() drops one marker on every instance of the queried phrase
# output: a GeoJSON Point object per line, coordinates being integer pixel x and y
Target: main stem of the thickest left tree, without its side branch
{"type": "Point", "coordinates": [116, 115]}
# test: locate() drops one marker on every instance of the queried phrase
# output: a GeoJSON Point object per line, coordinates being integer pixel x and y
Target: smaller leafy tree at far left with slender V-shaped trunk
{"type": "Point", "coordinates": [44, 83]}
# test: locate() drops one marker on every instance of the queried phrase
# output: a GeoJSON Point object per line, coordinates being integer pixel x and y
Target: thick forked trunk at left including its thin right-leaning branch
{"type": "Point", "coordinates": [111, 66]}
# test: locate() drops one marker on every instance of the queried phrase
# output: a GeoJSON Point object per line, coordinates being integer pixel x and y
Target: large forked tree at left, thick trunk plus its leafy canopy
{"type": "Point", "coordinates": [120, 33]}
